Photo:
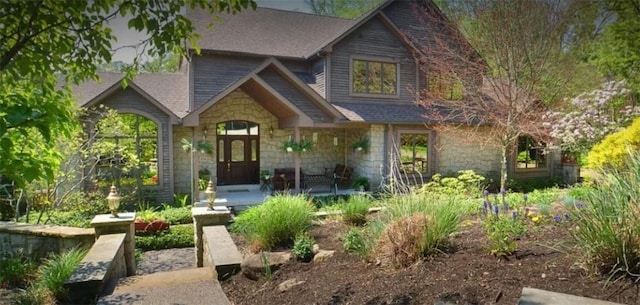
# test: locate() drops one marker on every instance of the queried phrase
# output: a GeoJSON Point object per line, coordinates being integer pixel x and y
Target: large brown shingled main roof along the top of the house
{"type": "Point", "coordinates": [268, 32]}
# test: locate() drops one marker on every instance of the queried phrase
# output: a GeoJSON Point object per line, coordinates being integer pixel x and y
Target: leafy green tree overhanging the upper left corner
{"type": "Point", "coordinates": [47, 46]}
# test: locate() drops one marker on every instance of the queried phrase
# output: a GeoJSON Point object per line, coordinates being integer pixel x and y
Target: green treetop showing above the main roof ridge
{"type": "Point", "coordinates": [349, 9]}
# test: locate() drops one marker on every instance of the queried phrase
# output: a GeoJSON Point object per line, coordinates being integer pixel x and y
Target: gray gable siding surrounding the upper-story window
{"type": "Point", "coordinates": [372, 40]}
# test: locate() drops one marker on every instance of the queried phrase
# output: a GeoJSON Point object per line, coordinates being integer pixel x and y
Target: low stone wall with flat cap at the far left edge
{"type": "Point", "coordinates": [39, 241]}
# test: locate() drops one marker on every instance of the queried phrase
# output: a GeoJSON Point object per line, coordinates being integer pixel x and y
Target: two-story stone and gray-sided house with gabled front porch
{"type": "Point", "coordinates": [267, 76]}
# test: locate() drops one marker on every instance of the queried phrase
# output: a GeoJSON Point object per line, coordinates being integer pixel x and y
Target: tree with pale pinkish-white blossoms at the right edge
{"type": "Point", "coordinates": [591, 117]}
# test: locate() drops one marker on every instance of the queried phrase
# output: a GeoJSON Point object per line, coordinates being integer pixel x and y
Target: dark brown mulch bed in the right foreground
{"type": "Point", "coordinates": [466, 275]}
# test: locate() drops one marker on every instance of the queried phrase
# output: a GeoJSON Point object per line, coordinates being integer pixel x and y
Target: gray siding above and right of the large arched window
{"type": "Point", "coordinates": [129, 101]}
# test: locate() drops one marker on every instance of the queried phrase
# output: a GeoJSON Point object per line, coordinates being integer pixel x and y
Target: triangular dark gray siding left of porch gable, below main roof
{"type": "Point", "coordinates": [214, 73]}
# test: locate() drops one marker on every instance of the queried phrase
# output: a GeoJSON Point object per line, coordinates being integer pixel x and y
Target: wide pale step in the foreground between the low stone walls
{"type": "Point", "coordinates": [188, 286]}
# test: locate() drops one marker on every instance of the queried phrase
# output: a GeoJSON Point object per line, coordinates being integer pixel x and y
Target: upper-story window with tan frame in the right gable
{"type": "Point", "coordinates": [374, 77]}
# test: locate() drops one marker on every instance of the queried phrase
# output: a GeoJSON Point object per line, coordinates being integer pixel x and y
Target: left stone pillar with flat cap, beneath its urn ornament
{"type": "Point", "coordinates": [106, 224]}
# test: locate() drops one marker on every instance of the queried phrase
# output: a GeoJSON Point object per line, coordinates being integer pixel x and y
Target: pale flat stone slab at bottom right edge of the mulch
{"type": "Point", "coordinates": [533, 296]}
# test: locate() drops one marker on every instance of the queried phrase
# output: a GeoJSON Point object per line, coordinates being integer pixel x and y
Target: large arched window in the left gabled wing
{"type": "Point", "coordinates": [127, 151]}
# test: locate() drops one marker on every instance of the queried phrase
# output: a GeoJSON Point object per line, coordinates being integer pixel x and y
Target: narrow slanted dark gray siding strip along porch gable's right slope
{"type": "Point", "coordinates": [291, 93]}
